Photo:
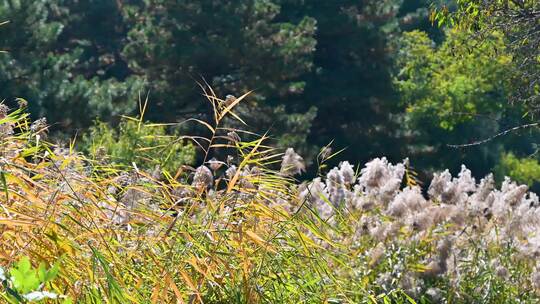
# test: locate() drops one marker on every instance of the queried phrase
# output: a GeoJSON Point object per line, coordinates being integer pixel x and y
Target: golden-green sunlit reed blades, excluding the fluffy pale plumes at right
{"type": "Point", "coordinates": [123, 235]}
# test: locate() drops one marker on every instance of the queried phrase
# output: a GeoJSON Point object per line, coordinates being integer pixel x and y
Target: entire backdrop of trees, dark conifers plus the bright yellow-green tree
{"type": "Point", "coordinates": [375, 77]}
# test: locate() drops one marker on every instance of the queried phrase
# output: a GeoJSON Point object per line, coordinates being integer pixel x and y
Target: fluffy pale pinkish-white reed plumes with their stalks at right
{"type": "Point", "coordinates": [468, 230]}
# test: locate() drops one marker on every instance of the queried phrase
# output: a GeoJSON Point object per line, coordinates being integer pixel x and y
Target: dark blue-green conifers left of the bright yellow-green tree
{"type": "Point", "coordinates": [314, 73]}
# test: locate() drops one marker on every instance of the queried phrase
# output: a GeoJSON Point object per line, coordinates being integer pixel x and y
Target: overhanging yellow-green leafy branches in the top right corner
{"type": "Point", "coordinates": [519, 20]}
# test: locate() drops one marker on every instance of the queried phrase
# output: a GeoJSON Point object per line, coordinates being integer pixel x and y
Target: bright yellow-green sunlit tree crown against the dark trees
{"type": "Point", "coordinates": [444, 90]}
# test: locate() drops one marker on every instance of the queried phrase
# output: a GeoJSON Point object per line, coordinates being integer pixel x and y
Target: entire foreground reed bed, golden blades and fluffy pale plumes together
{"type": "Point", "coordinates": [243, 230]}
